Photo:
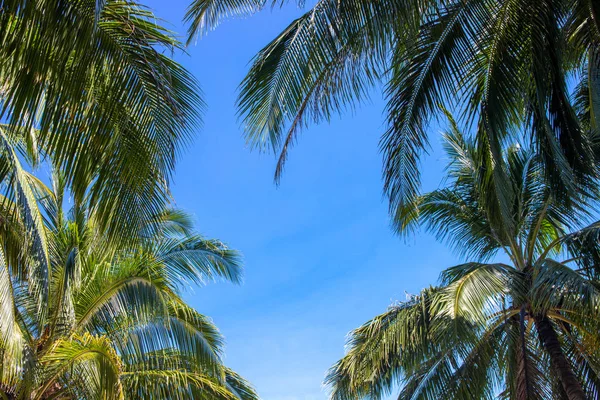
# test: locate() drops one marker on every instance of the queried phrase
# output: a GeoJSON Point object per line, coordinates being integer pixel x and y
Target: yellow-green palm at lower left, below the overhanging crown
{"type": "Point", "coordinates": [112, 324]}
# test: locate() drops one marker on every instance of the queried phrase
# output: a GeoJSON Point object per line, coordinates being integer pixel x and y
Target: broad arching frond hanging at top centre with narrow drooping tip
{"type": "Point", "coordinates": [311, 71]}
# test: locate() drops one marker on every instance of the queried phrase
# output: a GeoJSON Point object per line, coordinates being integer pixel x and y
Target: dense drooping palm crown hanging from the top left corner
{"type": "Point", "coordinates": [95, 81]}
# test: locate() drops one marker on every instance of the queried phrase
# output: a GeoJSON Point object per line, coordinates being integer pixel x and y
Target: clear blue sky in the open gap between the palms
{"type": "Point", "coordinates": [319, 256]}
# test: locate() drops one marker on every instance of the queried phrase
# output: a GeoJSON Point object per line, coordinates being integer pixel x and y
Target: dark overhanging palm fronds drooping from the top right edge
{"type": "Point", "coordinates": [508, 64]}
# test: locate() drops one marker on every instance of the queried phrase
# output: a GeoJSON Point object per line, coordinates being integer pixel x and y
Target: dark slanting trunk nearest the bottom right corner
{"type": "Point", "coordinates": [560, 364]}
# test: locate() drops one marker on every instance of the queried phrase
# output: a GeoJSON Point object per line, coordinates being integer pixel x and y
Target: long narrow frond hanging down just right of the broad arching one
{"type": "Point", "coordinates": [420, 75]}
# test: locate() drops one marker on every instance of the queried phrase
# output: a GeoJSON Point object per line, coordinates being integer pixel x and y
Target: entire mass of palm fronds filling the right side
{"type": "Point", "coordinates": [518, 71]}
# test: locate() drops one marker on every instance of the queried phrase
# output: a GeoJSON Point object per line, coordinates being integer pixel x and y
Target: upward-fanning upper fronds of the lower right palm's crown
{"type": "Point", "coordinates": [503, 206]}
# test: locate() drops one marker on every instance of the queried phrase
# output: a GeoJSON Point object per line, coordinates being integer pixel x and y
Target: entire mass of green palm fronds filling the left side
{"type": "Point", "coordinates": [90, 304]}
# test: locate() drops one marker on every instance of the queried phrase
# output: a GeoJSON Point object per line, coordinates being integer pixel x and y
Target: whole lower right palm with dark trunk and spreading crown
{"type": "Point", "coordinates": [524, 328]}
